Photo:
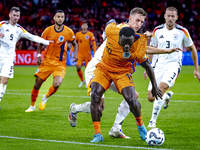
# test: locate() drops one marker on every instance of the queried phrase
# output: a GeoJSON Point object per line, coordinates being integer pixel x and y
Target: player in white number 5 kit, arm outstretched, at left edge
{"type": "Point", "coordinates": [10, 33]}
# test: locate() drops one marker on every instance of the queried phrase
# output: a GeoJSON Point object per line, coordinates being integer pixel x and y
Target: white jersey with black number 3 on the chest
{"type": "Point", "coordinates": [167, 39]}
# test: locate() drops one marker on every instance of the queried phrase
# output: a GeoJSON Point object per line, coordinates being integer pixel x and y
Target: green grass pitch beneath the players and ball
{"type": "Point", "coordinates": [180, 121]}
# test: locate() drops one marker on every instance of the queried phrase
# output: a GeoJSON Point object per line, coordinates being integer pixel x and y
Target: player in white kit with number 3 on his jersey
{"type": "Point", "coordinates": [168, 66]}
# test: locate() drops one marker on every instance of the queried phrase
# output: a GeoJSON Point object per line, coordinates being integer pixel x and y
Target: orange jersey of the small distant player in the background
{"type": "Point", "coordinates": [83, 40]}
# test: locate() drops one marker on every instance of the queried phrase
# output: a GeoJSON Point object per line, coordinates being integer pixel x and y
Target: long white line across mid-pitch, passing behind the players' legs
{"type": "Point", "coordinates": [88, 97]}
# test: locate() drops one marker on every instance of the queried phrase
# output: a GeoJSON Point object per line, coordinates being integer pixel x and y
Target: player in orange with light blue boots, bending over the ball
{"type": "Point", "coordinates": [121, 49]}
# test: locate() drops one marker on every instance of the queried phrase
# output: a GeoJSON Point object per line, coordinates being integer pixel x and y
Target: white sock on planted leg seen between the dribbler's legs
{"type": "Point", "coordinates": [123, 111]}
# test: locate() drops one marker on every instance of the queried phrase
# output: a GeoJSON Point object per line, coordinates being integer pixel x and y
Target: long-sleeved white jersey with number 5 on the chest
{"type": "Point", "coordinates": [11, 35]}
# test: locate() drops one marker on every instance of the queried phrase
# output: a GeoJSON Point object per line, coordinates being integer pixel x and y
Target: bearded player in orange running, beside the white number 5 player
{"type": "Point", "coordinates": [54, 58]}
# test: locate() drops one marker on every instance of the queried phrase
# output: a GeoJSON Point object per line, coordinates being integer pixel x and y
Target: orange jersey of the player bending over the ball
{"type": "Point", "coordinates": [113, 59]}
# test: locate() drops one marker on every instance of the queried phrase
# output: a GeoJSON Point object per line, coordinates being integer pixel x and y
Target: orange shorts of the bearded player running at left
{"type": "Point", "coordinates": [49, 67]}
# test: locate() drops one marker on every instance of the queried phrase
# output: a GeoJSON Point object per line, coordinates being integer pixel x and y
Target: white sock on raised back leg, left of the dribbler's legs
{"type": "Point", "coordinates": [85, 107]}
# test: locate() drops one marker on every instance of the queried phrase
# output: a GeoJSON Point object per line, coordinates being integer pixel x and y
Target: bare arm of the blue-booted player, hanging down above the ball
{"type": "Point", "coordinates": [155, 90]}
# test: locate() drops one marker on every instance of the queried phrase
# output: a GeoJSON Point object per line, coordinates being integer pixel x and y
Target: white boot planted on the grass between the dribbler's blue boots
{"type": "Point", "coordinates": [117, 133]}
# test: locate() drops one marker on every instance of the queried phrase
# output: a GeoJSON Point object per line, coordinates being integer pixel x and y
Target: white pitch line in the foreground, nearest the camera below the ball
{"type": "Point", "coordinates": [80, 143]}
